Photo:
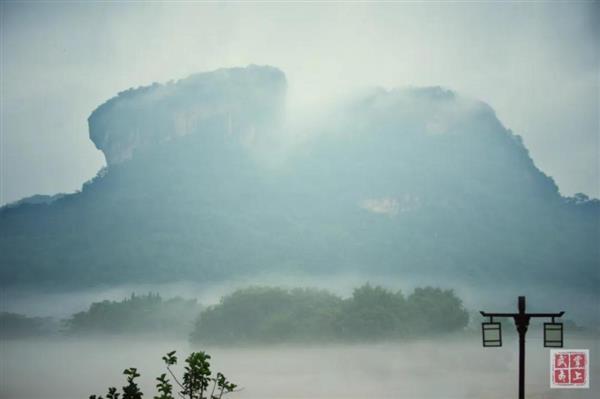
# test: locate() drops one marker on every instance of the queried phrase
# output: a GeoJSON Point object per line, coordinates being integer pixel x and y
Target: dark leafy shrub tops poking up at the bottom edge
{"type": "Point", "coordinates": [196, 383]}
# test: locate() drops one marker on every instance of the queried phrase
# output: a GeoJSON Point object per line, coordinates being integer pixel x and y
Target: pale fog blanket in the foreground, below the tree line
{"type": "Point", "coordinates": [446, 368]}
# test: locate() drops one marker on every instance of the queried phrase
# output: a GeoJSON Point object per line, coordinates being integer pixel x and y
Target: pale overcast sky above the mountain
{"type": "Point", "coordinates": [536, 63]}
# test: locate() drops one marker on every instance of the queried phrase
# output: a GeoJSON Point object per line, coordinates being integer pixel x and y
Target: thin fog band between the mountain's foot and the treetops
{"type": "Point", "coordinates": [581, 307]}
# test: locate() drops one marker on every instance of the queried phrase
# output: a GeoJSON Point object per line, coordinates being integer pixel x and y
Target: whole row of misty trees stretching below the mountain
{"type": "Point", "coordinates": [262, 314]}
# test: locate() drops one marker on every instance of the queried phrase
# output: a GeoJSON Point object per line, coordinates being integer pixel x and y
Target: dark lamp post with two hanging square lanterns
{"type": "Point", "coordinates": [492, 334]}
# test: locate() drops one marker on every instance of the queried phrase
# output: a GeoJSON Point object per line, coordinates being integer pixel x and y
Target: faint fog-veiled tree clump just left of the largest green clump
{"type": "Point", "coordinates": [145, 314]}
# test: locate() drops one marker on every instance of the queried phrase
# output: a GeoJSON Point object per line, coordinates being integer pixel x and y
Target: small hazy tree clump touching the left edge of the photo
{"type": "Point", "coordinates": [13, 325]}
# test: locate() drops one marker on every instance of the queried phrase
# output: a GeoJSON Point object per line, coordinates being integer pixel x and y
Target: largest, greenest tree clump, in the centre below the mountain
{"type": "Point", "coordinates": [273, 315]}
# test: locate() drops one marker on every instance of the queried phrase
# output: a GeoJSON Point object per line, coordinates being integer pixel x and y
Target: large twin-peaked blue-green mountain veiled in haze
{"type": "Point", "coordinates": [206, 181]}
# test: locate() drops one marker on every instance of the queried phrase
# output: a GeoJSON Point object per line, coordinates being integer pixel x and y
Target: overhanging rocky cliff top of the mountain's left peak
{"type": "Point", "coordinates": [240, 100]}
